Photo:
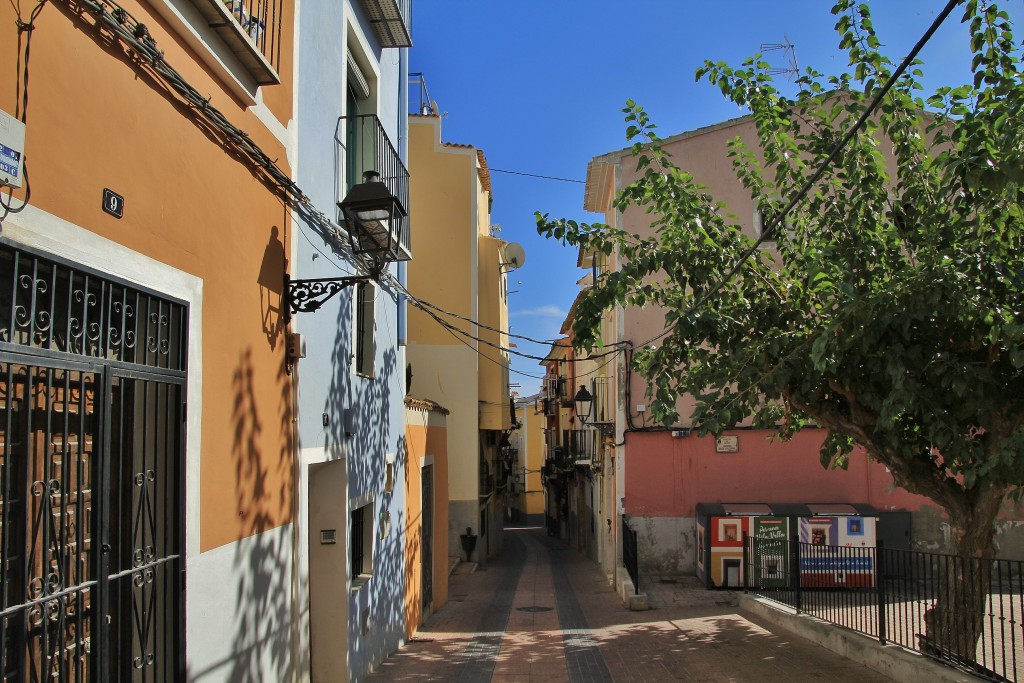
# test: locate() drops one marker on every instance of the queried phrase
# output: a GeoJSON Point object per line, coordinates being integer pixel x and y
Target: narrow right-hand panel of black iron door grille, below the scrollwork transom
{"type": "Point", "coordinates": [143, 566]}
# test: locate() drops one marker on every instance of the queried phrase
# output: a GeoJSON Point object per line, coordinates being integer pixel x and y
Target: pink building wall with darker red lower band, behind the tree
{"type": "Point", "coordinates": [663, 474]}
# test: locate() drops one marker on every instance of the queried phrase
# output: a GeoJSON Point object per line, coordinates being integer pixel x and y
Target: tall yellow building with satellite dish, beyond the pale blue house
{"type": "Point", "coordinates": [455, 341]}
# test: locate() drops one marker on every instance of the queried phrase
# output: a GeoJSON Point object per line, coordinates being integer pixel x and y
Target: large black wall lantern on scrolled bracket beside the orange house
{"type": "Point", "coordinates": [374, 219]}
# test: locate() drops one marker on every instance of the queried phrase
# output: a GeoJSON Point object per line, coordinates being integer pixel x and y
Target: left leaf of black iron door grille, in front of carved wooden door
{"type": "Point", "coordinates": [50, 435]}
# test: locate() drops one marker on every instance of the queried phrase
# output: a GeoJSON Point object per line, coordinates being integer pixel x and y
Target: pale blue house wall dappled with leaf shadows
{"type": "Point", "coordinates": [328, 387]}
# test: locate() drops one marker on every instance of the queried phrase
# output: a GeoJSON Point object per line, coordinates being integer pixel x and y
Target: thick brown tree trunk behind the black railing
{"type": "Point", "coordinates": [956, 622]}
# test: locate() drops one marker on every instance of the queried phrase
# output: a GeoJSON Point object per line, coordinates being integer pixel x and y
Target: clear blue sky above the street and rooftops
{"type": "Point", "coordinates": [539, 88]}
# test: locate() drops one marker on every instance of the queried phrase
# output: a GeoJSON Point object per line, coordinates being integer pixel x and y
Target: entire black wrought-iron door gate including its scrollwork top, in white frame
{"type": "Point", "coordinates": [92, 451]}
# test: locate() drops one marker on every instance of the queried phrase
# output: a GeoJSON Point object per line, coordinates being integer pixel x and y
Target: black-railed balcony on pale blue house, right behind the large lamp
{"type": "Point", "coordinates": [365, 146]}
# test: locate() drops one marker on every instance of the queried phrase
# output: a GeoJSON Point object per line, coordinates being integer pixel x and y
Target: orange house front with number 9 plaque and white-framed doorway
{"type": "Point", "coordinates": [144, 257]}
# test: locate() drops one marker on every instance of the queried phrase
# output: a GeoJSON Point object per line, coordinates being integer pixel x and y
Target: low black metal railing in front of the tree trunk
{"type": "Point", "coordinates": [888, 594]}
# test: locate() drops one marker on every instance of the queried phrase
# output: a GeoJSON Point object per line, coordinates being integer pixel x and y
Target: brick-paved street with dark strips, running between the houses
{"type": "Point", "coordinates": [543, 613]}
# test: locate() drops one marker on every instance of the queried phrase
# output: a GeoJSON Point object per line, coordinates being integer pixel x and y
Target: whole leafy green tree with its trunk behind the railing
{"type": "Point", "coordinates": [889, 311]}
